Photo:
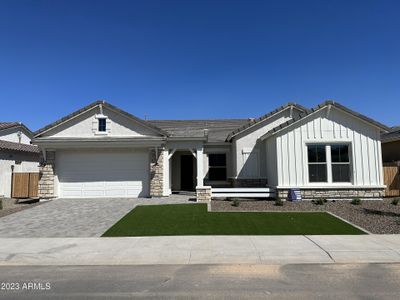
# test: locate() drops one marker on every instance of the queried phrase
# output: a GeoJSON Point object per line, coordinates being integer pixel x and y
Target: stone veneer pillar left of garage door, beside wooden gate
{"type": "Point", "coordinates": [46, 179]}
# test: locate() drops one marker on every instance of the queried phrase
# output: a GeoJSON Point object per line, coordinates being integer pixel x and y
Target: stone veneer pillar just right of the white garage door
{"type": "Point", "coordinates": [156, 173]}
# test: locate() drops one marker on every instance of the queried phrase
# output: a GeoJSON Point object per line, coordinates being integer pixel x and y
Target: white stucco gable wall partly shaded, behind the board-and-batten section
{"type": "Point", "coordinates": [249, 155]}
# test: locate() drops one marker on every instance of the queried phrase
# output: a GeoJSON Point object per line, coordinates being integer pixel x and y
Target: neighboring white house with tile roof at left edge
{"type": "Point", "coordinates": [16, 154]}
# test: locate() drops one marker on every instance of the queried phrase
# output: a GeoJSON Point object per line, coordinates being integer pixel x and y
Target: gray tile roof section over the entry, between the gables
{"type": "Point", "coordinates": [218, 130]}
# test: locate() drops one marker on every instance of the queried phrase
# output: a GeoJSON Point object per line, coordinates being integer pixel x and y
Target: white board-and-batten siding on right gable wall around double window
{"type": "Point", "coordinates": [287, 150]}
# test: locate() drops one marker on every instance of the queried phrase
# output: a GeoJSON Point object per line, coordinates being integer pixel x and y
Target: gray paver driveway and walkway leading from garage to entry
{"type": "Point", "coordinates": [74, 217]}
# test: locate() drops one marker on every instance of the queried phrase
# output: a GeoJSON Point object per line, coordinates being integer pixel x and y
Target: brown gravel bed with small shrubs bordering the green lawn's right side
{"type": "Point", "coordinates": [379, 217]}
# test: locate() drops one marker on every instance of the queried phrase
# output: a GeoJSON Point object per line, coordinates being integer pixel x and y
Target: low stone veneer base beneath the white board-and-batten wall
{"type": "Point", "coordinates": [345, 194]}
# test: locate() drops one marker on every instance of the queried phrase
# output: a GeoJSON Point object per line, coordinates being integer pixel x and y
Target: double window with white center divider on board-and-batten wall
{"type": "Point", "coordinates": [337, 163]}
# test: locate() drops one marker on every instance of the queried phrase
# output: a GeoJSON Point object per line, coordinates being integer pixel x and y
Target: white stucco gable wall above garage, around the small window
{"type": "Point", "coordinates": [86, 124]}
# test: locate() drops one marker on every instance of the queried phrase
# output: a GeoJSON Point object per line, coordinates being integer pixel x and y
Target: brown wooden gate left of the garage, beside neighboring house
{"type": "Point", "coordinates": [25, 185]}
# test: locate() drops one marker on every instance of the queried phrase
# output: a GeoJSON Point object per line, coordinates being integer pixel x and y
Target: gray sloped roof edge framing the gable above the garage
{"type": "Point", "coordinates": [92, 105]}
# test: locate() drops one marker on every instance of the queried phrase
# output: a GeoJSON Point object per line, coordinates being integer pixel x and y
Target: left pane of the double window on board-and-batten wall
{"type": "Point", "coordinates": [317, 163]}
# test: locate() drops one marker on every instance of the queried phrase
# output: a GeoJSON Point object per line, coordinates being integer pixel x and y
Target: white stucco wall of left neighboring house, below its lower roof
{"type": "Point", "coordinates": [7, 160]}
